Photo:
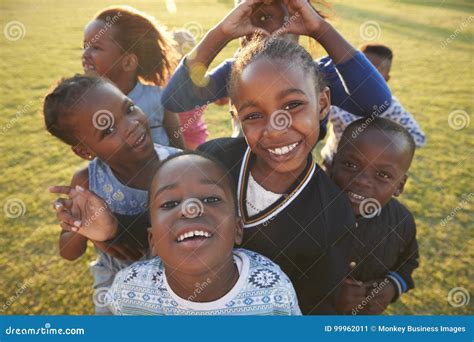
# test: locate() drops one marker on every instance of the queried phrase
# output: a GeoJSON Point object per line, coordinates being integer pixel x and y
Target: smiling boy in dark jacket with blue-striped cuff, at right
{"type": "Point", "coordinates": [370, 167]}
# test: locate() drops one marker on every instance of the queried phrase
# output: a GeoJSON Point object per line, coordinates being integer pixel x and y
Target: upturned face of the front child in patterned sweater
{"type": "Point", "coordinates": [193, 218]}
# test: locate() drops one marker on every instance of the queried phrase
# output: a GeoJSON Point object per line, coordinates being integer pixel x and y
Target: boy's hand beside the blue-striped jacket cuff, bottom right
{"type": "Point", "coordinates": [381, 296]}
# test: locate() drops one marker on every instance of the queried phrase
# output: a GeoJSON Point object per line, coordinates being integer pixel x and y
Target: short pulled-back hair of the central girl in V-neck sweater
{"type": "Point", "coordinates": [277, 49]}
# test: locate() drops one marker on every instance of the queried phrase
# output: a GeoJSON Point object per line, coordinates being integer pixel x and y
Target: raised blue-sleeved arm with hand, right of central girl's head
{"type": "Point", "coordinates": [361, 87]}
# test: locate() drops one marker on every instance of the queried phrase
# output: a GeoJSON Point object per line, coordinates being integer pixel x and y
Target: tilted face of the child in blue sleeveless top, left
{"type": "Point", "coordinates": [109, 126]}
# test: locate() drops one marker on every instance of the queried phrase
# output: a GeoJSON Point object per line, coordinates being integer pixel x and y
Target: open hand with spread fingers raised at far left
{"type": "Point", "coordinates": [84, 213]}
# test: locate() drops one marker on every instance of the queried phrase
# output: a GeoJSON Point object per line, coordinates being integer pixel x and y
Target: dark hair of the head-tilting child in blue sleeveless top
{"type": "Point", "coordinates": [60, 104]}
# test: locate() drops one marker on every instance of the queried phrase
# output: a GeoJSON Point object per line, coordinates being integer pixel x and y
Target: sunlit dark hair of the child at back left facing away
{"type": "Point", "coordinates": [140, 34]}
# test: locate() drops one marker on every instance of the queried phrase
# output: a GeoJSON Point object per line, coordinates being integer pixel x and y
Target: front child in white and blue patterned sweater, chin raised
{"type": "Point", "coordinates": [196, 271]}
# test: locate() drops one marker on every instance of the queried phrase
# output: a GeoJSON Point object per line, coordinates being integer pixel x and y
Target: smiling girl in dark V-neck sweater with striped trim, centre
{"type": "Point", "coordinates": [292, 212]}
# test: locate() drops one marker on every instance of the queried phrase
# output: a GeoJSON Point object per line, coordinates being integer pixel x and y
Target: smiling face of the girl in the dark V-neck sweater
{"type": "Point", "coordinates": [279, 110]}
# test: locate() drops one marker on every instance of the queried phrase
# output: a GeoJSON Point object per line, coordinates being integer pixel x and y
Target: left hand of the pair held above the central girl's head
{"type": "Point", "coordinates": [238, 22]}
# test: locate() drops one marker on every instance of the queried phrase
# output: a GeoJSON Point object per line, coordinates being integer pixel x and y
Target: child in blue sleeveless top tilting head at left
{"type": "Point", "coordinates": [104, 127]}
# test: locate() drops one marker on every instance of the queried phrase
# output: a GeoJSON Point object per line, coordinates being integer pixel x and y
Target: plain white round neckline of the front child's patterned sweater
{"type": "Point", "coordinates": [243, 265]}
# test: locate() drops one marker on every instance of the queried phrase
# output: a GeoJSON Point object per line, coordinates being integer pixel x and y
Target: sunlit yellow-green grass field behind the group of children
{"type": "Point", "coordinates": [432, 76]}
